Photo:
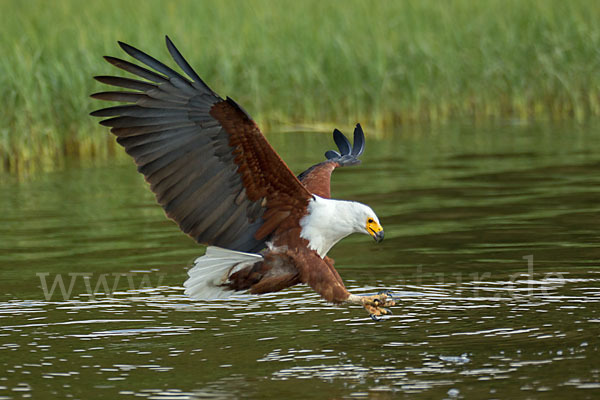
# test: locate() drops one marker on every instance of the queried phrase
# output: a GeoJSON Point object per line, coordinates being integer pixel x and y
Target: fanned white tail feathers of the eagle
{"type": "Point", "coordinates": [213, 269]}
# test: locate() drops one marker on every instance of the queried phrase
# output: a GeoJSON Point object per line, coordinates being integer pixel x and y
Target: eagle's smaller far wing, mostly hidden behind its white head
{"type": "Point", "coordinates": [317, 178]}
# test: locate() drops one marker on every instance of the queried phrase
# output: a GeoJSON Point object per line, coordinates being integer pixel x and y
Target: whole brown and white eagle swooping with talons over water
{"type": "Point", "coordinates": [217, 177]}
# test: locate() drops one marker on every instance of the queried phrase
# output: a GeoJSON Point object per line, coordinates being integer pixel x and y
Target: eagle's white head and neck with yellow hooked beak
{"type": "Point", "coordinates": [328, 221]}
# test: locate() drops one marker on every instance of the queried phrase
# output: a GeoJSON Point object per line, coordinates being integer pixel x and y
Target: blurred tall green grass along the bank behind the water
{"type": "Point", "coordinates": [314, 63]}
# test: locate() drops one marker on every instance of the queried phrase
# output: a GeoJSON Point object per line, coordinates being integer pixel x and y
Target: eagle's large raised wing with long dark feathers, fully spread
{"type": "Point", "coordinates": [207, 162]}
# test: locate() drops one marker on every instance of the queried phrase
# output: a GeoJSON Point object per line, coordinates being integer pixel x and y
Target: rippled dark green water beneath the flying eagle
{"type": "Point", "coordinates": [492, 248]}
